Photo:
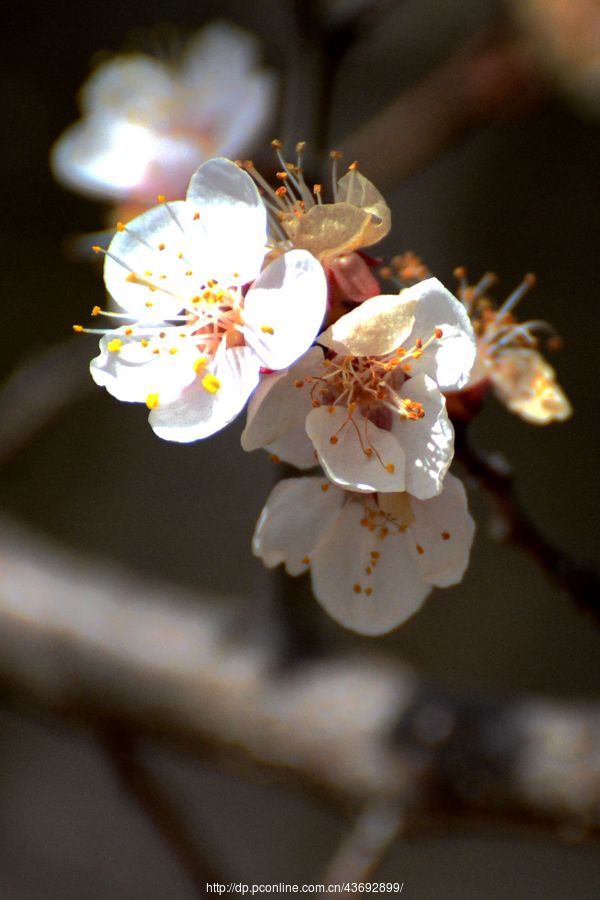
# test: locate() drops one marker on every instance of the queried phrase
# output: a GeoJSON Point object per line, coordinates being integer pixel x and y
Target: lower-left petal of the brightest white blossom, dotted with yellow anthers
{"type": "Point", "coordinates": [133, 372]}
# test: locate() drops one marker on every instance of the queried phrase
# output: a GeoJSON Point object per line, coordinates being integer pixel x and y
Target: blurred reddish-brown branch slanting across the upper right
{"type": "Point", "coordinates": [482, 79]}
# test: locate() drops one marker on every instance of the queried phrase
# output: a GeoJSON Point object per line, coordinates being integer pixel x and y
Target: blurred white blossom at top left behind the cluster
{"type": "Point", "coordinates": [147, 124]}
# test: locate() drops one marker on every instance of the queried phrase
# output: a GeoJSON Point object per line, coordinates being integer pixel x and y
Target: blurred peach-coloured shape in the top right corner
{"type": "Point", "coordinates": [565, 38]}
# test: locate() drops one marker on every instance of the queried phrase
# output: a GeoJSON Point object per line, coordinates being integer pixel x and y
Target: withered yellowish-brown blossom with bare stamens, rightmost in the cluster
{"type": "Point", "coordinates": [507, 359]}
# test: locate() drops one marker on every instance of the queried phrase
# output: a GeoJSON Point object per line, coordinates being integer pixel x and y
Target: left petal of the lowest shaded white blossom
{"type": "Point", "coordinates": [297, 515]}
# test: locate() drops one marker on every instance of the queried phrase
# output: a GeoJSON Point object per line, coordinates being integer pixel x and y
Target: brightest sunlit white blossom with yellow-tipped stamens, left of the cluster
{"type": "Point", "coordinates": [196, 339]}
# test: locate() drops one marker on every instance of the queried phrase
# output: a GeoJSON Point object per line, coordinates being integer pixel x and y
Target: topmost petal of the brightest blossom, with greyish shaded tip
{"type": "Point", "coordinates": [233, 214]}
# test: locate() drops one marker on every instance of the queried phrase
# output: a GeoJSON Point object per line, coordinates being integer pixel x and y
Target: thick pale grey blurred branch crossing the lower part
{"type": "Point", "coordinates": [105, 647]}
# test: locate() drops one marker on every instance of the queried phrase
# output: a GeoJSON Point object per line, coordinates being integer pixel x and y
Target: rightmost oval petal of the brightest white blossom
{"type": "Point", "coordinates": [284, 308]}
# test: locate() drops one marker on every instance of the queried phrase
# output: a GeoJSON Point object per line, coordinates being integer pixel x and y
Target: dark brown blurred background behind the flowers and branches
{"type": "Point", "coordinates": [508, 182]}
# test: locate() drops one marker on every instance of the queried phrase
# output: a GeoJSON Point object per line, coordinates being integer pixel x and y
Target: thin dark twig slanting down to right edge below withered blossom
{"type": "Point", "coordinates": [581, 581]}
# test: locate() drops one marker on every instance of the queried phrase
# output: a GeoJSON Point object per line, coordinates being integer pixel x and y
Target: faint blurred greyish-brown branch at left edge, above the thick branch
{"type": "Point", "coordinates": [38, 391]}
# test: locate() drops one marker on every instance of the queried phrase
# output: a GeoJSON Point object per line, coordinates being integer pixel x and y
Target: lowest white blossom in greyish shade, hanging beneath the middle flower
{"type": "Point", "coordinates": [373, 558]}
